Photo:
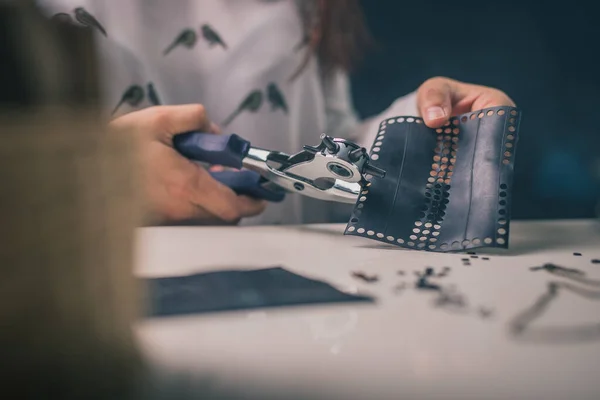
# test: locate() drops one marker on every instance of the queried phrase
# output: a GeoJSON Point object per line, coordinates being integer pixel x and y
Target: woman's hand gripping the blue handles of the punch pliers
{"type": "Point", "coordinates": [177, 189]}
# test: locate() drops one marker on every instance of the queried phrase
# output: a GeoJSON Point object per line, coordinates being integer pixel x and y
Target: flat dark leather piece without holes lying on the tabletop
{"type": "Point", "coordinates": [238, 290]}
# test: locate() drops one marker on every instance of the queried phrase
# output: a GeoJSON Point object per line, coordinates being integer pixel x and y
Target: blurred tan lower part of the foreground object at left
{"type": "Point", "coordinates": [67, 294]}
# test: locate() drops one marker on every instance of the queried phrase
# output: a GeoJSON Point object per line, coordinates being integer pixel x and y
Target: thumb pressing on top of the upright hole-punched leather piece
{"type": "Point", "coordinates": [435, 102]}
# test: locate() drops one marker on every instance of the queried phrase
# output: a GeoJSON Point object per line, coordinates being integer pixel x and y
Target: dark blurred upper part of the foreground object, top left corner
{"type": "Point", "coordinates": [45, 63]}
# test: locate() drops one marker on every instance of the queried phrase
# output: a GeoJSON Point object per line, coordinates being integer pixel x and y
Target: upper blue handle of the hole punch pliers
{"type": "Point", "coordinates": [225, 150]}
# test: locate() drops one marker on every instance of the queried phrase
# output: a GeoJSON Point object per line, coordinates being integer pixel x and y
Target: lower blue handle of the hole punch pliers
{"type": "Point", "coordinates": [247, 183]}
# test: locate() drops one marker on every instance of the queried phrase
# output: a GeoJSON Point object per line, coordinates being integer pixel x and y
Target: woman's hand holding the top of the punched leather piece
{"type": "Point", "coordinates": [440, 98]}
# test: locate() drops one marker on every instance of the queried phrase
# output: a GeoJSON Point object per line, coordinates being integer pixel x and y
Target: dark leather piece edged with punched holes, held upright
{"type": "Point", "coordinates": [446, 189]}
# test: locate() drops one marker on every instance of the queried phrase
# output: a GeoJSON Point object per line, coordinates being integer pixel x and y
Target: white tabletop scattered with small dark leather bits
{"type": "Point", "coordinates": [402, 346]}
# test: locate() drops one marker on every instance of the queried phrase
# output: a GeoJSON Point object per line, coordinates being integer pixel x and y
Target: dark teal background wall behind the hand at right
{"type": "Point", "coordinates": [545, 59]}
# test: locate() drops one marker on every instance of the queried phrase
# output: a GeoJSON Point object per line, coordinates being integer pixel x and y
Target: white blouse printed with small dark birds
{"type": "Point", "coordinates": [236, 58]}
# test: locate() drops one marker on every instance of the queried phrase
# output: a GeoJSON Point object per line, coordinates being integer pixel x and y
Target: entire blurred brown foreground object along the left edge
{"type": "Point", "coordinates": [68, 209]}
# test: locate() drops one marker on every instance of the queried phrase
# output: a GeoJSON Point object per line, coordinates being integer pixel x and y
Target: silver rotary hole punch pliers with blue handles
{"type": "Point", "coordinates": [335, 170]}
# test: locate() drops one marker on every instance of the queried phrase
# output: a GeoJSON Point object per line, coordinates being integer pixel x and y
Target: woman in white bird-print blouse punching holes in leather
{"type": "Point", "coordinates": [273, 71]}
